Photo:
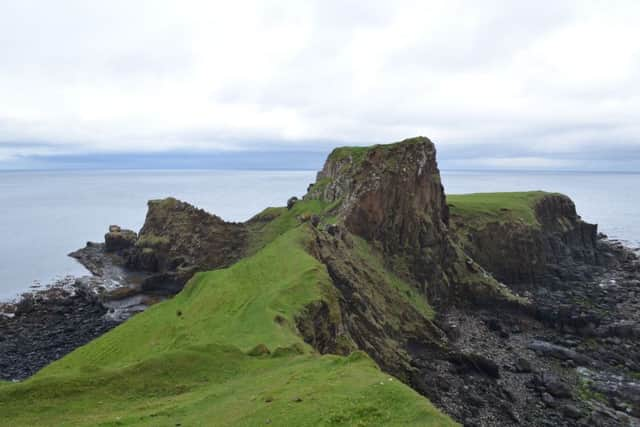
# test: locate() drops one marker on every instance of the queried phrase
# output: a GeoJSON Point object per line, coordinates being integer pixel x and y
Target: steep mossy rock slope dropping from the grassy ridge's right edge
{"type": "Point", "coordinates": [375, 317]}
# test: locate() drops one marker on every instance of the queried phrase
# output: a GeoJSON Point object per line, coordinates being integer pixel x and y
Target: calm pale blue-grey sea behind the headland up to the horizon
{"type": "Point", "coordinates": [44, 215]}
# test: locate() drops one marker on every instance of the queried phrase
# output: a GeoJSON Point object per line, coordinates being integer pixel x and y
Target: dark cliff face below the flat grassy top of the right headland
{"type": "Point", "coordinates": [557, 244]}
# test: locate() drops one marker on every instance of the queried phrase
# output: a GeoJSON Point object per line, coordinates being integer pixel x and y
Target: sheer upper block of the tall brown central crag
{"type": "Point", "coordinates": [389, 193]}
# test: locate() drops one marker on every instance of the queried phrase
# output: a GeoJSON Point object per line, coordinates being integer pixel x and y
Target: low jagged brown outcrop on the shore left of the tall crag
{"type": "Point", "coordinates": [176, 241]}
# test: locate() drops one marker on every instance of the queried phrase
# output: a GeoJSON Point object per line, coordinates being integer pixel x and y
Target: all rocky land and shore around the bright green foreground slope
{"type": "Point", "coordinates": [501, 309]}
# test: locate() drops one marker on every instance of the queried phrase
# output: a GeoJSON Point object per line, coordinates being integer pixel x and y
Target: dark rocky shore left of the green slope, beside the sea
{"type": "Point", "coordinates": [44, 325]}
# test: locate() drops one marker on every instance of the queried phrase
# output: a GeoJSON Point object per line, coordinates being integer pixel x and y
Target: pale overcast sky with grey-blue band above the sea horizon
{"type": "Point", "coordinates": [495, 84]}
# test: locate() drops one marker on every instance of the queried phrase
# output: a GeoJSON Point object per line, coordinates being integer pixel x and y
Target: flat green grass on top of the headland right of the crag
{"type": "Point", "coordinates": [481, 208]}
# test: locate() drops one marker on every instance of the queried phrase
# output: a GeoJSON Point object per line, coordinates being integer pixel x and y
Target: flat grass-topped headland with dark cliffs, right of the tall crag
{"type": "Point", "coordinates": [526, 239]}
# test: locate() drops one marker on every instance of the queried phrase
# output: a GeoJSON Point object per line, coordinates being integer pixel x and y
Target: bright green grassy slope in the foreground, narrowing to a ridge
{"type": "Point", "coordinates": [185, 361]}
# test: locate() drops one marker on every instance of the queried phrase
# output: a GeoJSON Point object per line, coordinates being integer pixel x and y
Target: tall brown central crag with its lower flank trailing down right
{"type": "Point", "coordinates": [391, 195]}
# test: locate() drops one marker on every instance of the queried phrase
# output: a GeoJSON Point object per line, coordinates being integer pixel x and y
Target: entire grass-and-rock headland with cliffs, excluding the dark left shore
{"type": "Point", "coordinates": [375, 299]}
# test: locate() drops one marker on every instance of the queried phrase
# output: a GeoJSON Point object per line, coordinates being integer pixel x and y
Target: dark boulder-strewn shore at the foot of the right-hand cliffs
{"type": "Point", "coordinates": [576, 362]}
